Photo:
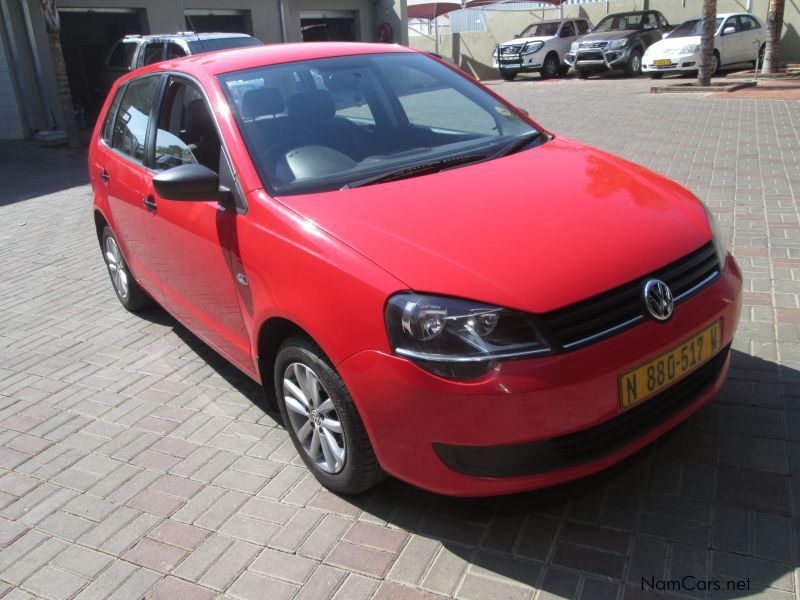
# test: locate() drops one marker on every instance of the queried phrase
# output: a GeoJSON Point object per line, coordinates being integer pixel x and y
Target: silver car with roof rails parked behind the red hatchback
{"type": "Point", "coordinates": [134, 51]}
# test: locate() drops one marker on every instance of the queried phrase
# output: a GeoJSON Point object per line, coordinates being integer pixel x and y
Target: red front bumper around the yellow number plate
{"type": "Point", "coordinates": [432, 432]}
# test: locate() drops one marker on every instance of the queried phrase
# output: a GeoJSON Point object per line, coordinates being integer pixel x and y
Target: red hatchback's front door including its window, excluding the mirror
{"type": "Point", "coordinates": [191, 240]}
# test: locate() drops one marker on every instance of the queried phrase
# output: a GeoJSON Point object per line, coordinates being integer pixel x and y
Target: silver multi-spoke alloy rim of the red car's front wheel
{"type": "Point", "coordinates": [313, 417]}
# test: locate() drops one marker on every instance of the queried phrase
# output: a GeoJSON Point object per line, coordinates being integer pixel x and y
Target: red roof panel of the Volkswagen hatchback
{"type": "Point", "coordinates": [250, 57]}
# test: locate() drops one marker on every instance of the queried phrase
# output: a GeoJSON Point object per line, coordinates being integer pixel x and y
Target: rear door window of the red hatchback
{"type": "Point", "coordinates": [130, 125]}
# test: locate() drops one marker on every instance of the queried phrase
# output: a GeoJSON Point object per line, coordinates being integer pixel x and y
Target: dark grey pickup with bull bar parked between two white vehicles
{"type": "Point", "coordinates": [618, 42]}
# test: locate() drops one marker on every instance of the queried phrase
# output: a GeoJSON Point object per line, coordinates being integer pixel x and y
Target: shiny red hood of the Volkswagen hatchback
{"type": "Point", "coordinates": [534, 231]}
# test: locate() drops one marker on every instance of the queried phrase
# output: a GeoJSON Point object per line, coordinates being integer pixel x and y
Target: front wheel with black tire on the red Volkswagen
{"type": "Point", "coordinates": [339, 454]}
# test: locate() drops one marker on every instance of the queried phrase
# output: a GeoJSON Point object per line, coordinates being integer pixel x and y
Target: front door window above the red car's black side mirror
{"type": "Point", "coordinates": [186, 132]}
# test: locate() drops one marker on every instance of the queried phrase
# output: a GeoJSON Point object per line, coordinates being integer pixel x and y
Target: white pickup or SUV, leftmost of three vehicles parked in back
{"type": "Point", "coordinates": [540, 47]}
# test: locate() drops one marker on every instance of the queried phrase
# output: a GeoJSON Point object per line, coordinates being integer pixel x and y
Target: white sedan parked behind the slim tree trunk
{"type": "Point", "coordinates": [735, 38]}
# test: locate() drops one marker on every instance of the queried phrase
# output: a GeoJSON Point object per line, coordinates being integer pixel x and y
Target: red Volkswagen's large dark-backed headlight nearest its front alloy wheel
{"type": "Point", "coordinates": [458, 339]}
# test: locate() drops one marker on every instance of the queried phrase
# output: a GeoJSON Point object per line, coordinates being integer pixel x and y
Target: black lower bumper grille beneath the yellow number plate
{"type": "Point", "coordinates": [590, 444]}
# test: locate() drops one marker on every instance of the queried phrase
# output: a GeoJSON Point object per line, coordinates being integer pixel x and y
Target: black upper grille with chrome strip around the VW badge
{"type": "Point", "coordinates": [609, 313]}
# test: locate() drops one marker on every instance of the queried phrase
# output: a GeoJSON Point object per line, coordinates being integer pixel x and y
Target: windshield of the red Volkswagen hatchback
{"type": "Point", "coordinates": [321, 125]}
